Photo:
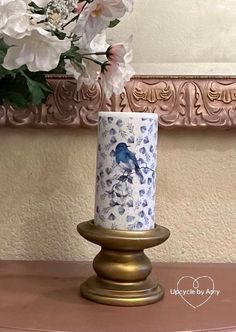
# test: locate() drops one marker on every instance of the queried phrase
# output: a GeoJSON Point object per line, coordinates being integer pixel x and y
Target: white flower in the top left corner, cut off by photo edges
{"type": "Point", "coordinates": [14, 20]}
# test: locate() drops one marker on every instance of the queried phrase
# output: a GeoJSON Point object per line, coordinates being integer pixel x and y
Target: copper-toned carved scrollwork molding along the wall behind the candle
{"type": "Point", "coordinates": [181, 102]}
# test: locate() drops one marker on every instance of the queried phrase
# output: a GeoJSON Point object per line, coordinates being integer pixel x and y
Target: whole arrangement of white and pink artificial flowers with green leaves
{"type": "Point", "coordinates": [60, 37]}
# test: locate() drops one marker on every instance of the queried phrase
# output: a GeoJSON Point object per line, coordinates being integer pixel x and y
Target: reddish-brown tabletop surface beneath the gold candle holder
{"type": "Point", "coordinates": [44, 296]}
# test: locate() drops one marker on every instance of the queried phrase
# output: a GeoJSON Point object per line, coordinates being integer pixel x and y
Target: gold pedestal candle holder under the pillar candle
{"type": "Point", "coordinates": [121, 266]}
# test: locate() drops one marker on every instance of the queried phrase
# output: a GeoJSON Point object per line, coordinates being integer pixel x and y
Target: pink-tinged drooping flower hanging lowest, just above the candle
{"type": "Point", "coordinates": [118, 71]}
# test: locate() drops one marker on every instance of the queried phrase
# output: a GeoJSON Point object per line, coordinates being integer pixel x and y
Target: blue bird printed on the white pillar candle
{"type": "Point", "coordinates": [127, 160]}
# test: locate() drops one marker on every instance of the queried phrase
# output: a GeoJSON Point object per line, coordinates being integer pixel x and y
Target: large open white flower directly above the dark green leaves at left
{"type": "Point", "coordinates": [39, 52]}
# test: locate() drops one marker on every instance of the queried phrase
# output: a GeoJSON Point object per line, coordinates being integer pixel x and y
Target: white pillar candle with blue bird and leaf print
{"type": "Point", "coordinates": [126, 171]}
